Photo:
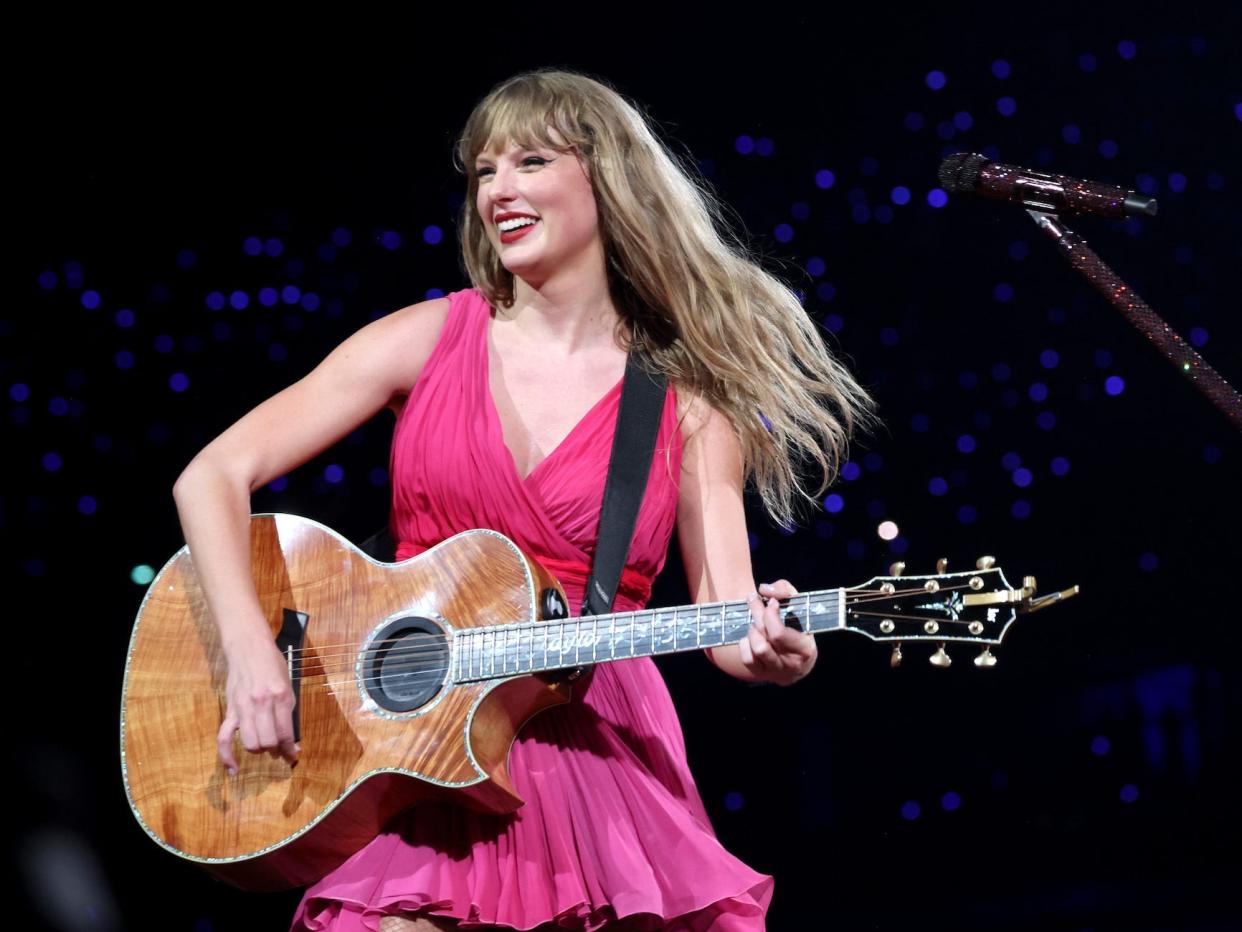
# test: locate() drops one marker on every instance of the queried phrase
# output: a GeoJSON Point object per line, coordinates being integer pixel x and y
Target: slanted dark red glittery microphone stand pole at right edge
{"type": "Point", "coordinates": [1141, 315]}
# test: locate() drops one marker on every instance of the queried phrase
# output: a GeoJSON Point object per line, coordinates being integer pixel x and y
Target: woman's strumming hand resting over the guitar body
{"type": "Point", "coordinates": [260, 705]}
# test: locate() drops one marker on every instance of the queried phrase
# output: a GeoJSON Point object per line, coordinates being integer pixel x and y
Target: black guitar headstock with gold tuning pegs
{"type": "Point", "coordinates": [978, 606]}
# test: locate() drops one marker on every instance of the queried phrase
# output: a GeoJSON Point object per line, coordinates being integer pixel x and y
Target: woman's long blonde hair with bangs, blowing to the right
{"type": "Point", "coordinates": [695, 303]}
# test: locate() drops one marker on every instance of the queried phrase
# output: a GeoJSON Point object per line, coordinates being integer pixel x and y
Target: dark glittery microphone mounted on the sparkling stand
{"type": "Point", "coordinates": [971, 173]}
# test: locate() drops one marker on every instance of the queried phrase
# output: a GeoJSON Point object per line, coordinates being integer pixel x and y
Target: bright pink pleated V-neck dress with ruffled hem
{"type": "Point", "coordinates": [613, 826]}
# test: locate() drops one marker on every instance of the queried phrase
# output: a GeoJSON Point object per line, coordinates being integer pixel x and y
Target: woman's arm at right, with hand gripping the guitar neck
{"type": "Point", "coordinates": [716, 549]}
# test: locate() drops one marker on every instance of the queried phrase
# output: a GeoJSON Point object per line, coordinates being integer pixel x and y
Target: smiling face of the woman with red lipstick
{"type": "Point", "coordinates": [538, 209]}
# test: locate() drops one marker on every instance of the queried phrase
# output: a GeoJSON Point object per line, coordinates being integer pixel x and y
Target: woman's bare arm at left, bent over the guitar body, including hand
{"type": "Point", "coordinates": [356, 381]}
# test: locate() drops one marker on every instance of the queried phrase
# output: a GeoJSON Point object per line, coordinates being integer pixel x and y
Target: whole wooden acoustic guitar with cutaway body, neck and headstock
{"type": "Point", "coordinates": [412, 680]}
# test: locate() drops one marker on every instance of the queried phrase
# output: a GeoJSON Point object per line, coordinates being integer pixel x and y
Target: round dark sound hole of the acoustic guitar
{"type": "Point", "coordinates": [407, 664]}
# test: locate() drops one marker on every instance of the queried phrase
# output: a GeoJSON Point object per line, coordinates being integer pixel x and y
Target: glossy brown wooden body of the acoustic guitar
{"type": "Point", "coordinates": [369, 649]}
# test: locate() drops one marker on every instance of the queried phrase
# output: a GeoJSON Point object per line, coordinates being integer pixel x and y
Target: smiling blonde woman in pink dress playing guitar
{"type": "Point", "coordinates": [583, 239]}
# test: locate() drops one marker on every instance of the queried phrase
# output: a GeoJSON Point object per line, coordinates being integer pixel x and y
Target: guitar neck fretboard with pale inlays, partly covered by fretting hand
{"type": "Point", "coordinates": [540, 647]}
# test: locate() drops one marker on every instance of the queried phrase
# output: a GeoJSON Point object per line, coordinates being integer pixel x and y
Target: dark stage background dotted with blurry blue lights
{"type": "Point", "coordinates": [199, 228]}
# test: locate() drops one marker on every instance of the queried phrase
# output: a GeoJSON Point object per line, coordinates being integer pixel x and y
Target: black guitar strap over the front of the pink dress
{"type": "Point", "coordinates": [643, 401]}
